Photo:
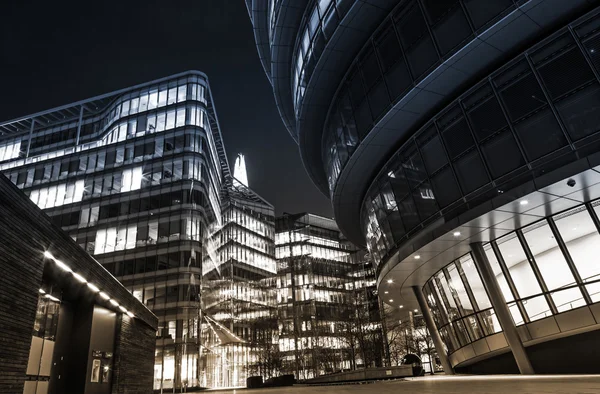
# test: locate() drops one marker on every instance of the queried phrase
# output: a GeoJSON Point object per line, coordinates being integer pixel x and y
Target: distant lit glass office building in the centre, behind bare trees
{"type": "Point", "coordinates": [328, 311]}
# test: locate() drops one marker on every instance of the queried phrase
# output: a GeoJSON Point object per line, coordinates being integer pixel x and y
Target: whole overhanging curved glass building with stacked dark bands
{"type": "Point", "coordinates": [458, 140]}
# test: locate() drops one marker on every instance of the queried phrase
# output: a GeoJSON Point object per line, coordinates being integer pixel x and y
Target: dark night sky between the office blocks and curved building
{"type": "Point", "coordinates": [56, 52]}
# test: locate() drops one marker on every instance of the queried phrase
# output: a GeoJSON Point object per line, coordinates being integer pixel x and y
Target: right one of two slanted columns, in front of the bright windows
{"type": "Point", "coordinates": [502, 311]}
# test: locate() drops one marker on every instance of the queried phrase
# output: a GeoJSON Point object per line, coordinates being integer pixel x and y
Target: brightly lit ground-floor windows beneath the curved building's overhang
{"type": "Point", "coordinates": [543, 269]}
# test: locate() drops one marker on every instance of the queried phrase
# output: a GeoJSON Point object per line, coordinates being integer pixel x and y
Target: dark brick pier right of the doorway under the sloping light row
{"type": "Point", "coordinates": [133, 368]}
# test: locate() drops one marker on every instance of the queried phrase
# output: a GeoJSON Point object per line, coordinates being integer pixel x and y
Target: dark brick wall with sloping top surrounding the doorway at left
{"type": "Point", "coordinates": [25, 233]}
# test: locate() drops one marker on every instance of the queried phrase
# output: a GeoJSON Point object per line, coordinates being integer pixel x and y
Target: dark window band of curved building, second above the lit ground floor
{"type": "Point", "coordinates": [414, 39]}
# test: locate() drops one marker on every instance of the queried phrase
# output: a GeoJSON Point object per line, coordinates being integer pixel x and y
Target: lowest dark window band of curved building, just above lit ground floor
{"type": "Point", "coordinates": [533, 115]}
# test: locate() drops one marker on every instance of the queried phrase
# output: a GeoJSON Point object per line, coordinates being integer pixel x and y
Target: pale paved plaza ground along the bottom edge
{"type": "Point", "coordinates": [540, 384]}
